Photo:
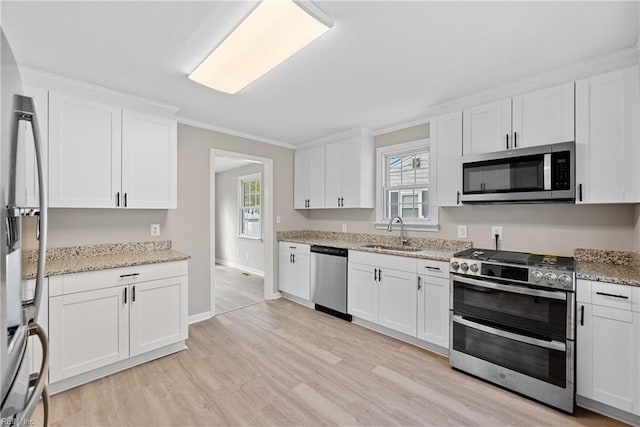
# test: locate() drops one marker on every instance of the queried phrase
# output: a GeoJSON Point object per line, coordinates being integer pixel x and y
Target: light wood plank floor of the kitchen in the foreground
{"type": "Point", "coordinates": [278, 363]}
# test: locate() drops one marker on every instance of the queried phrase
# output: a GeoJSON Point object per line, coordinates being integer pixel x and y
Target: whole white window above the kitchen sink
{"type": "Point", "coordinates": [405, 180]}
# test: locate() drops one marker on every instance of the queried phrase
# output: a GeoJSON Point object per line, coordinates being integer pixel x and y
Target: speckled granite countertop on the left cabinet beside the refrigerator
{"type": "Point", "coordinates": [76, 259]}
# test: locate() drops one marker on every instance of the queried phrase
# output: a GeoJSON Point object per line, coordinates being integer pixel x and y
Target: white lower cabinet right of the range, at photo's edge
{"type": "Point", "coordinates": [607, 340]}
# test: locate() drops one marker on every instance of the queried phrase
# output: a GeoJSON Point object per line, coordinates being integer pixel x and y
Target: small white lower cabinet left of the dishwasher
{"type": "Point", "coordinates": [295, 269]}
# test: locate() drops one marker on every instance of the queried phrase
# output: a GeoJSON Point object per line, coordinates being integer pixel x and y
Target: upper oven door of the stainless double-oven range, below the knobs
{"type": "Point", "coordinates": [540, 311]}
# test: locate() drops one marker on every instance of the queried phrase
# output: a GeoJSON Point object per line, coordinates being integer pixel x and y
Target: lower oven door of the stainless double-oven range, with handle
{"type": "Point", "coordinates": [542, 359]}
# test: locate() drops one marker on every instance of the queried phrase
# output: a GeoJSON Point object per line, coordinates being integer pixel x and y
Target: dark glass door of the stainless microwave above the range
{"type": "Point", "coordinates": [507, 175]}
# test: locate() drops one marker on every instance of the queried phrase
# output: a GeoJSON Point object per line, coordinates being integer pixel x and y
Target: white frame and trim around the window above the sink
{"type": "Point", "coordinates": [428, 224]}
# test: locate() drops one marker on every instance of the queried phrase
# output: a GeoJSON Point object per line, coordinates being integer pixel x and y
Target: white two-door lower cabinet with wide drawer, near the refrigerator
{"type": "Point", "coordinates": [118, 316]}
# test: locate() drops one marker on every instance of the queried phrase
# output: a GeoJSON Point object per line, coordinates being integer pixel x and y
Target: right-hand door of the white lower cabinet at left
{"type": "Point", "coordinates": [158, 314]}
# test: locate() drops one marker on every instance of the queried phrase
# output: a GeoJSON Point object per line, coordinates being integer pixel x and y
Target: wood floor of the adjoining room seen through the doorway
{"type": "Point", "coordinates": [236, 289]}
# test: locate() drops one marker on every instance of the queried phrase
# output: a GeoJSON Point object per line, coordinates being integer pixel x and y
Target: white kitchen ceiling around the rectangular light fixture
{"type": "Point", "coordinates": [383, 63]}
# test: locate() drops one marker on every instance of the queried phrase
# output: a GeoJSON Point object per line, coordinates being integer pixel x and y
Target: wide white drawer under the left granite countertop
{"type": "Point", "coordinates": [92, 280]}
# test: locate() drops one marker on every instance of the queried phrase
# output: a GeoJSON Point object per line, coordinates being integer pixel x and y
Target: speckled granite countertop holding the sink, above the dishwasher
{"type": "Point", "coordinates": [435, 249]}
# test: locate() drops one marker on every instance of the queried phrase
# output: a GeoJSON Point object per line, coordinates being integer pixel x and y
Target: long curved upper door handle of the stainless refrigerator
{"type": "Point", "coordinates": [26, 112]}
